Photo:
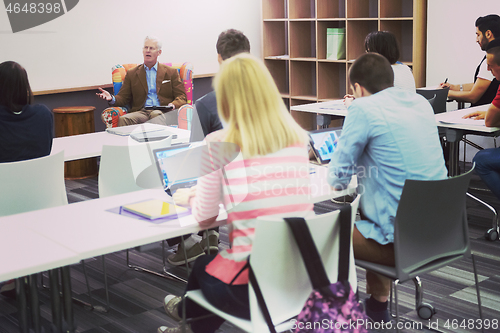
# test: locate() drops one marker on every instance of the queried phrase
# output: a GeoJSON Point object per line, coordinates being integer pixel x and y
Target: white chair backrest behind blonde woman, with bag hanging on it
{"type": "Point", "coordinates": [280, 270]}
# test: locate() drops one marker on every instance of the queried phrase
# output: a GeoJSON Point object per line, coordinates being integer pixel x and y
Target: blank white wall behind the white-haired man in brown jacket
{"type": "Point", "coordinates": [79, 48]}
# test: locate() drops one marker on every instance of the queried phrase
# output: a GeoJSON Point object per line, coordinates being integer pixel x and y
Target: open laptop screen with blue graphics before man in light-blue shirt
{"type": "Point", "coordinates": [323, 143]}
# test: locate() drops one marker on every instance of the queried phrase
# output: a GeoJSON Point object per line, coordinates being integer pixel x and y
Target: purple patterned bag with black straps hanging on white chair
{"type": "Point", "coordinates": [330, 307]}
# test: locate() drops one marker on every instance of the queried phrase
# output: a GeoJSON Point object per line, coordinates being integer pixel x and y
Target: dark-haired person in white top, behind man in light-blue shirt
{"type": "Point", "coordinates": [385, 43]}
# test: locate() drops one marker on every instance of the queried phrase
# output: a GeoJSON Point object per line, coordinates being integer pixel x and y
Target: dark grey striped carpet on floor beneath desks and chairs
{"type": "Point", "coordinates": [136, 298]}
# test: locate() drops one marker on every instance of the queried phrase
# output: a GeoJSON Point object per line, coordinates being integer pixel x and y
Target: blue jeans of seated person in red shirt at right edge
{"type": "Point", "coordinates": [488, 168]}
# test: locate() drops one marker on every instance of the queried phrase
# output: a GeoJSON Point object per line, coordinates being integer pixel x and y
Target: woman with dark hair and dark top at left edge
{"type": "Point", "coordinates": [26, 130]}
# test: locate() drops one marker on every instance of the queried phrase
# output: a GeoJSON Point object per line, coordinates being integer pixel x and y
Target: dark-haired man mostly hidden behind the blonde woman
{"type": "Point", "coordinates": [205, 121]}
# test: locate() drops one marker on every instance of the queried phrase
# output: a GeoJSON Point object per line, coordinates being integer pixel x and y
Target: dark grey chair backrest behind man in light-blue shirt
{"type": "Point", "coordinates": [431, 222]}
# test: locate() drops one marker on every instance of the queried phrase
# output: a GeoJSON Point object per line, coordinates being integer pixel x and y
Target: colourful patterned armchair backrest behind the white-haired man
{"type": "Point", "coordinates": [185, 72]}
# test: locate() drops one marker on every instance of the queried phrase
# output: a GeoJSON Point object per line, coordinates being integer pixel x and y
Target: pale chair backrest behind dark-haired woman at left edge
{"type": "Point", "coordinates": [32, 184]}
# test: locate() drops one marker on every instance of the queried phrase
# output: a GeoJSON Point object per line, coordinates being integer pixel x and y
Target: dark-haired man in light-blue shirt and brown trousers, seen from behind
{"type": "Point", "coordinates": [389, 135]}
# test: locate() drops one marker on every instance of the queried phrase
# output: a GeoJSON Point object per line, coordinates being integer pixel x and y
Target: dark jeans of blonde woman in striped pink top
{"type": "Point", "coordinates": [232, 299]}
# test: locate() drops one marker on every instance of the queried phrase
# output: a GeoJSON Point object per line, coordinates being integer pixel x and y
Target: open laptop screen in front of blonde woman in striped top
{"type": "Point", "coordinates": [178, 166]}
